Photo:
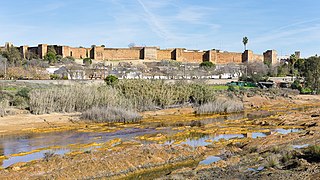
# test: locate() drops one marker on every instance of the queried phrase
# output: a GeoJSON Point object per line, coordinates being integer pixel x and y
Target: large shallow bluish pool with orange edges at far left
{"type": "Point", "coordinates": [61, 143]}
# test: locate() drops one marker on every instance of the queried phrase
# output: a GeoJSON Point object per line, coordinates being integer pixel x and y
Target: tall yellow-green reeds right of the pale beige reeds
{"type": "Point", "coordinates": [145, 94]}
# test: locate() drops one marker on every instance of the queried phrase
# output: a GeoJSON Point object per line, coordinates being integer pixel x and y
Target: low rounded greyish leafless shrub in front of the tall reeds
{"type": "Point", "coordinates": [111, 115]}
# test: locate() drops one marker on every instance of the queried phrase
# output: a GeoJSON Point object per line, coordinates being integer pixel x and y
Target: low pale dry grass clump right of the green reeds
{"type": "Point", "coordinates": [220, 105]}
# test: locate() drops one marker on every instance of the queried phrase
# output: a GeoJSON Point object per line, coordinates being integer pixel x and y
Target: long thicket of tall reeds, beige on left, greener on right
{"type": "Point", "coordinates": [140, 95]}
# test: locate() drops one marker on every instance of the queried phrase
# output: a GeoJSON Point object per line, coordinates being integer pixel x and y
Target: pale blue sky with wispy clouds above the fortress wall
{"type": "Point", "coordinates": [283, 25]}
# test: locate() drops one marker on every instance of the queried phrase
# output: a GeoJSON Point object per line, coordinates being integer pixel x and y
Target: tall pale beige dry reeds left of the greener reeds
{"type": "Point", "coordinates": [74, 99]}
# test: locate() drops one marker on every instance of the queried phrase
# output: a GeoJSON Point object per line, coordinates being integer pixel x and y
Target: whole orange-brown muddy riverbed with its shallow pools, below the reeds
{"type": "Point", "coordinates": [166, 143]}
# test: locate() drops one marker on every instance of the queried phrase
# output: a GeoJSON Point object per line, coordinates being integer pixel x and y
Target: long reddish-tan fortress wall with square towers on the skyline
{"type": "Point", "coordinates": [150, 53]}
